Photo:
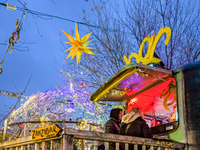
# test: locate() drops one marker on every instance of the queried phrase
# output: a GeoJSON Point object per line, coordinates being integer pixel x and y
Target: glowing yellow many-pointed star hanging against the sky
{"type": "Point", "coordinates": [78, 45]}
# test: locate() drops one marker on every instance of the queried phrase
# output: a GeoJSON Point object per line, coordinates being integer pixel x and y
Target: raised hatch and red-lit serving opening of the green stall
{"type": "Point", "coordinates": [151, 89]}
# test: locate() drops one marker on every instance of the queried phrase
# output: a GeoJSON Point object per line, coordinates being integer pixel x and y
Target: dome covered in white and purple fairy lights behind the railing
{"type": "Point", "coordinates": [64, 106]}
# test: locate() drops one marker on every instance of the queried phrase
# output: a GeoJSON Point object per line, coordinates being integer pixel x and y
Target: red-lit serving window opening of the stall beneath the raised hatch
{"type": "Point", "coordinates": [158, 104]}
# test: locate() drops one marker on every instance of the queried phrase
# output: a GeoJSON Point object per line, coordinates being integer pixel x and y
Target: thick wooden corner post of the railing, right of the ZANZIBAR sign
{"type": "Point", "coordinates": [67, 142]}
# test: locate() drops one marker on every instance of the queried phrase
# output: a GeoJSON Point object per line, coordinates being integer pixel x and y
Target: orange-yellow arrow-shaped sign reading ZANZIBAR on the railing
{"type": "Point", "coordinates": [45, 132]}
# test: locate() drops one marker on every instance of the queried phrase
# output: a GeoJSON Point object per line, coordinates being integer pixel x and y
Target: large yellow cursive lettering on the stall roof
{"type": "Point", "coordinates": [153, 41]}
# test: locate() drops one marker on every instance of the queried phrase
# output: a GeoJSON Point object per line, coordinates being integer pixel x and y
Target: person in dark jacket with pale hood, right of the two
{"type": "Point", "coordinates": [134, 125]}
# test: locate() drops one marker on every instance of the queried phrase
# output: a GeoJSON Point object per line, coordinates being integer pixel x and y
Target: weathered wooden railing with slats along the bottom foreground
{"type": "Point", "coordinates": [68, 135]}
